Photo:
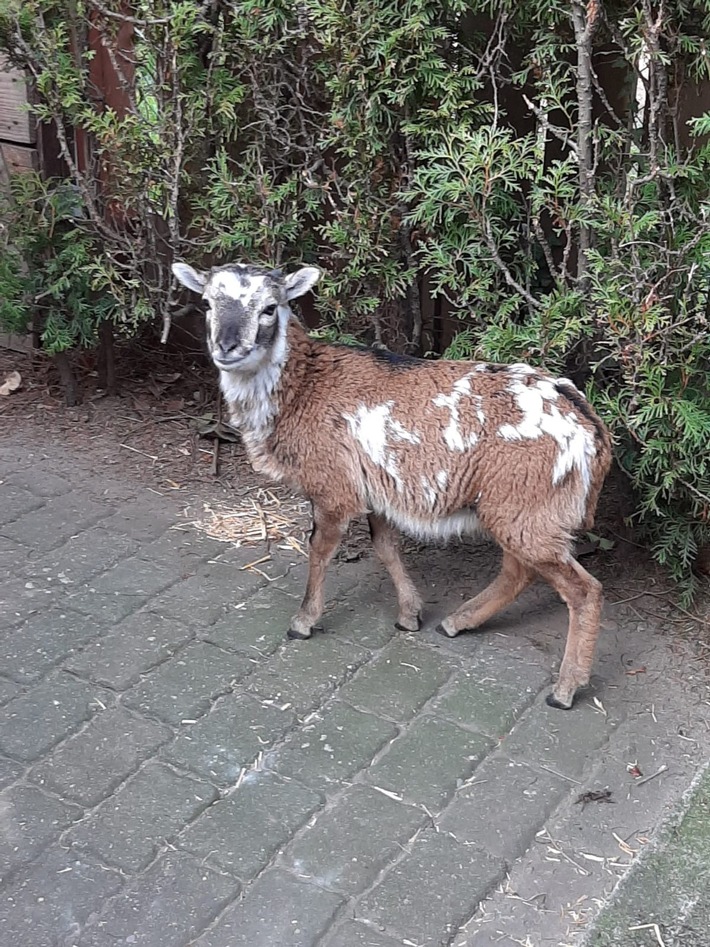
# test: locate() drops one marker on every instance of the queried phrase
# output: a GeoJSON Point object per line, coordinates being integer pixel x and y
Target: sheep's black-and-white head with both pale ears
{"type": "Point", "coordinates": [247, 307]}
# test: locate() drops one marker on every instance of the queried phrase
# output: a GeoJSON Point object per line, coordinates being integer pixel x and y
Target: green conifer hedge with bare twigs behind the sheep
{"type": "Point", "coordinates": [407, 148]}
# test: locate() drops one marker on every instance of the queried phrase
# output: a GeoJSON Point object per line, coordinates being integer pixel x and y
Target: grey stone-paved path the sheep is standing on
{"type": "Point", "coordinates": [174, 772]}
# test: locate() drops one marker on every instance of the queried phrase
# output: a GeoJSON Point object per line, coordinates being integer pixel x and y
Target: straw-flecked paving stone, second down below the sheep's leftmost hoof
{"type": "Point", "coordinates": [332, 745]}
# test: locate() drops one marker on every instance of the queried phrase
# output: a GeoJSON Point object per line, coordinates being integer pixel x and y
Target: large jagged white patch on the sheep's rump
{"type": "Point", "coordinates": [576, 444]}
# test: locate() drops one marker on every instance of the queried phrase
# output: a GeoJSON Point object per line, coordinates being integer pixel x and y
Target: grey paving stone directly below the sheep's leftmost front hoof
{"type": "Point", "coordinates": [304, 673]}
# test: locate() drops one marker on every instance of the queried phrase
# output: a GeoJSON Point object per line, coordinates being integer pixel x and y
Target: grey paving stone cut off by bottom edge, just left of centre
{"type": "Point", "coordinates": [278, 911]}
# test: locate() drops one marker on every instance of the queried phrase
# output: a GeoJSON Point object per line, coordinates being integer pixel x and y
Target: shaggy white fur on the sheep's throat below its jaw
{"type": "Point", "coordinates": [250, 394]}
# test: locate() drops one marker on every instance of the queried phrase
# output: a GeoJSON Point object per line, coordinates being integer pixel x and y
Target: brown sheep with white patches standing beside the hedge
{"type": "Point", "coordinates": [433, 448]}
